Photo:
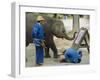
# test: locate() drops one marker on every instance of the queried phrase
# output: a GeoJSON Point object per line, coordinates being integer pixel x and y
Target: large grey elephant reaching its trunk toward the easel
{"type": "Point", "coordinates": [52, 27]}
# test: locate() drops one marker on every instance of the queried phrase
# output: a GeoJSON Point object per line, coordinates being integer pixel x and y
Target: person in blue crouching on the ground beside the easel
{"type": "Point", "coordinates": [71, 55]}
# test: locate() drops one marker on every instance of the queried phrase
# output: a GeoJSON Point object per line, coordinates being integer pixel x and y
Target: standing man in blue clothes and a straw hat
{"type": "Point", "coordinates": [38, 39]}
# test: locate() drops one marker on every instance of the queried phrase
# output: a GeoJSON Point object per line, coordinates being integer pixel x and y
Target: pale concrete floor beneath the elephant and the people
{"type": "Point", "coordinates": [61, 45]}
